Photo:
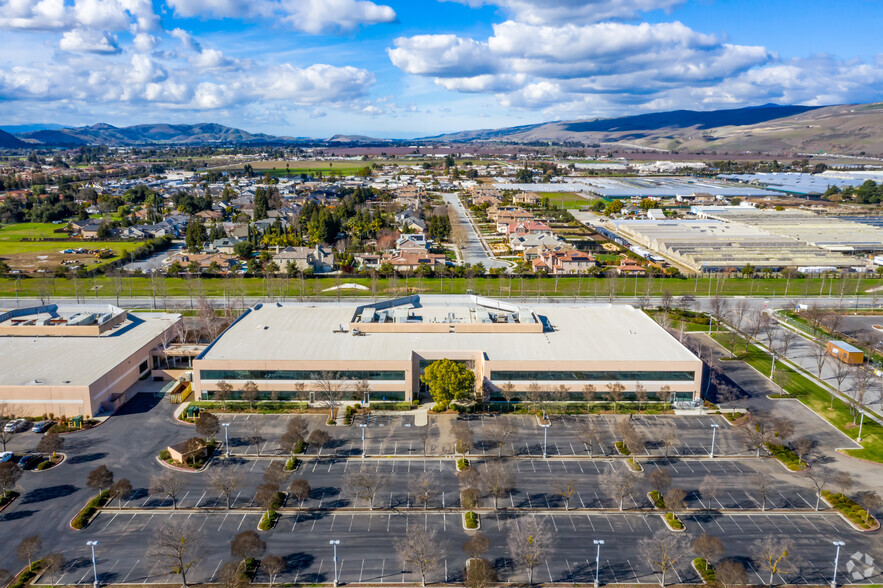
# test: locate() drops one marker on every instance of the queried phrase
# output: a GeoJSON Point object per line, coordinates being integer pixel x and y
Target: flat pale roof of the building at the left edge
{"type": "Point", "coordinates": [76, 361]}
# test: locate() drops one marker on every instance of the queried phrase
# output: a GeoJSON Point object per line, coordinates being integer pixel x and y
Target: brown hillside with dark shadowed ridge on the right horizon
{"type": "Point", "coordinates": [848, 129]}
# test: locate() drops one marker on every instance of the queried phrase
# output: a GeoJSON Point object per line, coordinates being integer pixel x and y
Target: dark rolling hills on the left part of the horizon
{"type": "Point", "coordinates": [149, 134]}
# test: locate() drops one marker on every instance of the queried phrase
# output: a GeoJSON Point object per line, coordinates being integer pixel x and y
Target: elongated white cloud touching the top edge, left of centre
{"type": "Point", "coordinates": [311, 16]}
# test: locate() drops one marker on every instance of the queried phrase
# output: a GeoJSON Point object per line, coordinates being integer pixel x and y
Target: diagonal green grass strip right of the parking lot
{"type": "Point", "coordinates": [815, 397]}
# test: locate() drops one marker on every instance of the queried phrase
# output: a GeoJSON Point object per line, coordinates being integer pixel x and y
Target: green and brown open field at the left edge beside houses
{"type": "Point", "coordinates": [31, 256]}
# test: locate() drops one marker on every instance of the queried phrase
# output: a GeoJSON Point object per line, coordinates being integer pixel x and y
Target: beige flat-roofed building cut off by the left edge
{"type": "Point", "coordinates": [78, 359]}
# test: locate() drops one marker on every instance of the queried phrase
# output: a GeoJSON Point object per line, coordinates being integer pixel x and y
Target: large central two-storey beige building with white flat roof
{"type": "Point", "coordinates": [289, 350]}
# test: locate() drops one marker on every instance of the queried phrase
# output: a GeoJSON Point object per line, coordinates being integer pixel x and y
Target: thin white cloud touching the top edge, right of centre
{"type": "Point", "coordinates": [539, 12]}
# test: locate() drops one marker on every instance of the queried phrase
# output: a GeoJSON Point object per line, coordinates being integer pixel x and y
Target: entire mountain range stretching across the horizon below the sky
{"type": "Point", "coordinates": [848, 129]}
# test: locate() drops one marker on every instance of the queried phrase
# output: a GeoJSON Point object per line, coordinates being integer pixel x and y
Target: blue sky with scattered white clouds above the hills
{"type": "Point", "coordinates": [414, 68]}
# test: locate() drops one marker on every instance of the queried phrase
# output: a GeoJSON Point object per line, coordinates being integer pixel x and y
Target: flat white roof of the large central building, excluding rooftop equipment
{"type": "Point", "coordinates": [579, 332]}
